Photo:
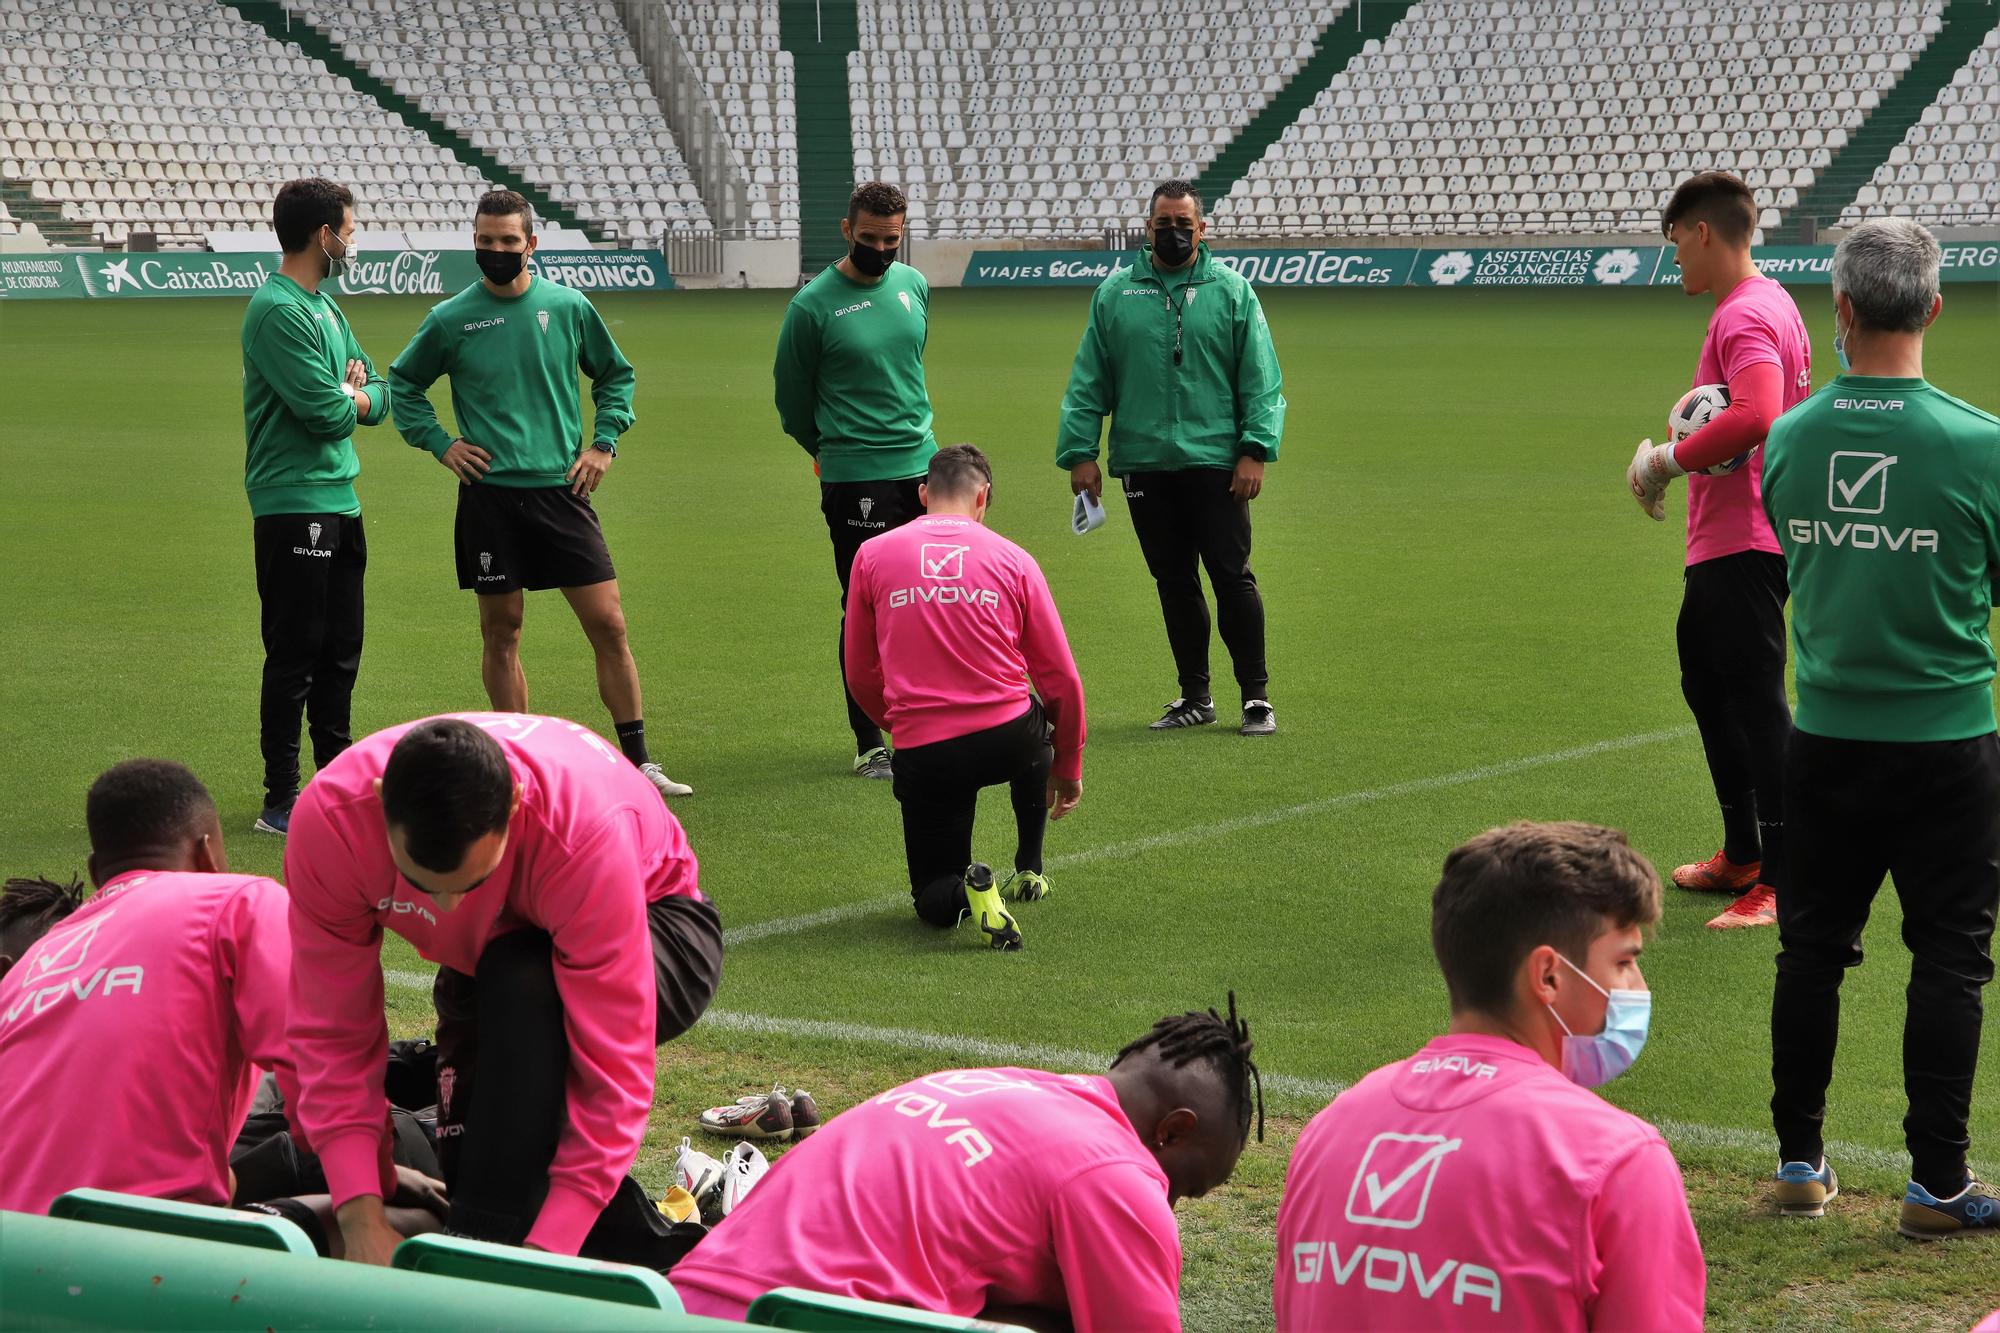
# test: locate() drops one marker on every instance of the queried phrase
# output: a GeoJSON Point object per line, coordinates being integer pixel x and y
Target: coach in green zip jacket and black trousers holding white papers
{"type": "Point", "coordinates": [1179, 357]}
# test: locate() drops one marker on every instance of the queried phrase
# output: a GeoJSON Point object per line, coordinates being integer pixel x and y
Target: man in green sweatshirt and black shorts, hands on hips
{"type": "Point", "coordinates": [513, 345]}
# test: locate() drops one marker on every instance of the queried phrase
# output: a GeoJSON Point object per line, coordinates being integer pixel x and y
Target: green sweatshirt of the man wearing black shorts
{"type": "Point", "coordinates": [513, 365]}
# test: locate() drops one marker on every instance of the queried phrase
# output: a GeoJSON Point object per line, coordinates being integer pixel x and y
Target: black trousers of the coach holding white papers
{"type": "Point", "coordinates": [1189, 521]}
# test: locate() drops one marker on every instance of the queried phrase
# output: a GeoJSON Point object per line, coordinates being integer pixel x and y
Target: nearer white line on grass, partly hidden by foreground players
{"type": "Point", "coordinates": [1037, 1056]}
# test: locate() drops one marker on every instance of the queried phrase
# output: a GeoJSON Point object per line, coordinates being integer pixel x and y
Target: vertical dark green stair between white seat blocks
{"type": "Point", "coordinates": [821, 35]}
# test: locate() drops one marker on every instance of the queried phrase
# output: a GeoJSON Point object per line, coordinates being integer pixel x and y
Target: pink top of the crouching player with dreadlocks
{"type": "Point", "coordinates": [961, 1192]}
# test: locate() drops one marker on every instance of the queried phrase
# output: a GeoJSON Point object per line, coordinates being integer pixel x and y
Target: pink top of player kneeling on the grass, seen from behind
{"type": "Point", "coordinates": [947, 625]}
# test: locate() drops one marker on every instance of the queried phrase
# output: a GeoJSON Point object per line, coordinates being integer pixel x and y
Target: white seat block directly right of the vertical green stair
{"type": "Point", "coordinates": [1049, 117]}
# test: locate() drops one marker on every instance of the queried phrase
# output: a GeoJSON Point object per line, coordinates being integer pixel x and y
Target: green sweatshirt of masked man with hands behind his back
{"type": "Point", "coordinates": [851, 375]}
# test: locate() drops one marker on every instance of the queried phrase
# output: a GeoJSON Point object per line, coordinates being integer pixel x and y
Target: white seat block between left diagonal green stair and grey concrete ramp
{"type": "Point", "coordinates": [551, 91]}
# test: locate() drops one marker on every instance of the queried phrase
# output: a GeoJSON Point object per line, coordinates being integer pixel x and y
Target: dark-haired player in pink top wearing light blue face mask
{"type": "Point", "coordinates": [1479, 1184]}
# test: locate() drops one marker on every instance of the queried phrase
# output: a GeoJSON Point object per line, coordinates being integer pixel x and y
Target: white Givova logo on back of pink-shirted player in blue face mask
{"type": "Point", "coordinates": [1393, 1190]}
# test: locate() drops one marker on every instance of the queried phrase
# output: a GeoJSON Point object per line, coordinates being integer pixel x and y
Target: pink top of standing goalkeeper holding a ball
{"type": "Point", "coordinates": [1755, 323]}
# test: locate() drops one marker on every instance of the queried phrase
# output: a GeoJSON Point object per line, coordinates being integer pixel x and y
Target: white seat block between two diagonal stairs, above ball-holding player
{"type": "Point", "coordinates": [1563, 117]}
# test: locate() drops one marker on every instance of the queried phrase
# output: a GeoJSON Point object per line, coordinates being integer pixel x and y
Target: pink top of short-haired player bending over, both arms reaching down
{"type": "Point", "coordinates": [587, 852]}
